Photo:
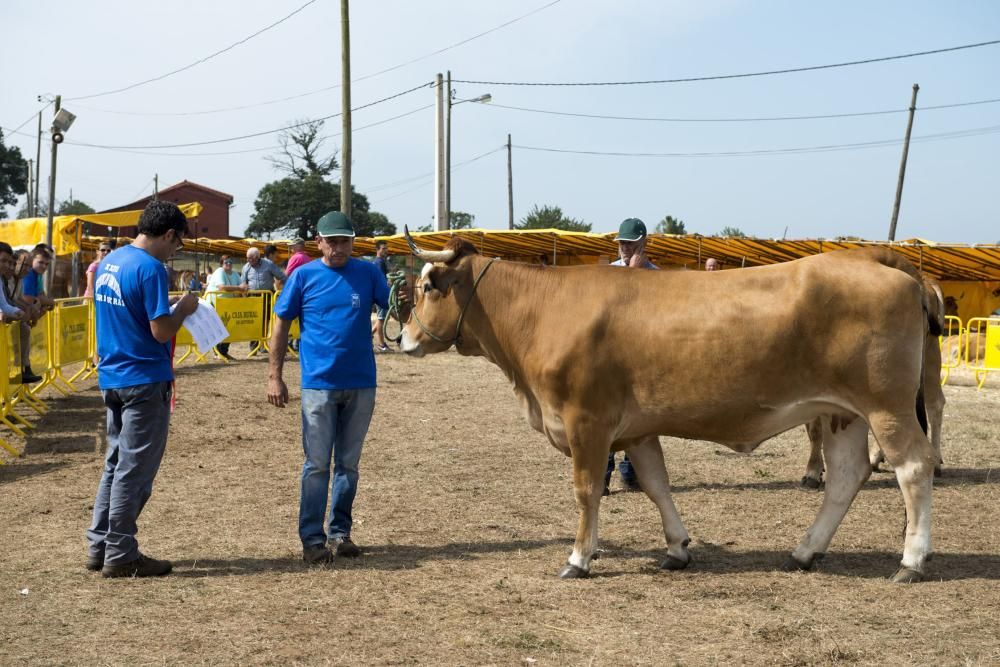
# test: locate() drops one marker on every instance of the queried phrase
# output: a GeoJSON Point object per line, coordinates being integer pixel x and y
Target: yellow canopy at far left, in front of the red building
{"type": "Point", "coordinates": [66, 229]}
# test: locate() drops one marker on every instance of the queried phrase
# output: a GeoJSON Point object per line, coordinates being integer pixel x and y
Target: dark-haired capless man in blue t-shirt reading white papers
{"type": "Point", "coordinates": [135, 322]}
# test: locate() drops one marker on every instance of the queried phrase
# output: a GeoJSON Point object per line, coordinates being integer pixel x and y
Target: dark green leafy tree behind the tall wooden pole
{"type": "Point", "coordinates": [294, 205]}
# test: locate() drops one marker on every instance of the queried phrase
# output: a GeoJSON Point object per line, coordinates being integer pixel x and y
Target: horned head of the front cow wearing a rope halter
{"type": "Point", "coordinates": [441, 295]}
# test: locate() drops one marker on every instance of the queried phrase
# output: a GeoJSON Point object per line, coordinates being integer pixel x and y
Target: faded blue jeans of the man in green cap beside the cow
{"type": "Point", "coordinates": [334, 426]}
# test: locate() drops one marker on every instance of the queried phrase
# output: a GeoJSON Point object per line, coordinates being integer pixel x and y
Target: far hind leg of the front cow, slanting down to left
{"type": "Point", "coordinates": [846, 454]}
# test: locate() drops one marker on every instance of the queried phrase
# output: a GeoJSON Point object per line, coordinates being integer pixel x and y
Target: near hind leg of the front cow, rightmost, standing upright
{"type": "Point", "coordinates": [911, 455]}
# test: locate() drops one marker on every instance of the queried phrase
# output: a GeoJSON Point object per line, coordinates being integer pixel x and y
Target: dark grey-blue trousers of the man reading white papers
{"type": "Point", "coordinates": [138, 419]}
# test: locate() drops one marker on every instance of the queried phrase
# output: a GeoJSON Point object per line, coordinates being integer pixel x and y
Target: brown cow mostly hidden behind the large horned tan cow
{"type": "Point", "coordinates": [933, 397]}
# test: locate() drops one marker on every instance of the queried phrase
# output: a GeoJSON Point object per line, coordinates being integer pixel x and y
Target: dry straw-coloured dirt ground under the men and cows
{"type": "Point", "coordinates": [466, 516]}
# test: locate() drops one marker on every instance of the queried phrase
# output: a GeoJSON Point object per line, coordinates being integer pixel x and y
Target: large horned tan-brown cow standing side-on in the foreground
{"type": "Point", "coordinates": [603, 359]}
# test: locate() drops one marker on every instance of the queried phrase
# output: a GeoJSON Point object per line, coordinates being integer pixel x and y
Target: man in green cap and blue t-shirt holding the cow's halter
{"type": "Point", "coordinates": [332, 299]}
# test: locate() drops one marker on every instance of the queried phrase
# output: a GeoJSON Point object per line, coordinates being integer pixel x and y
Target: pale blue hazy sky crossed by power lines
{"type": "Point", "coordinates": [950, 194]}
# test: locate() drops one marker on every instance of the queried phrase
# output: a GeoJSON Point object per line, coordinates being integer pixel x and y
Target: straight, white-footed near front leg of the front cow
{"type": "Point", "coordinates": [590, 459]}
